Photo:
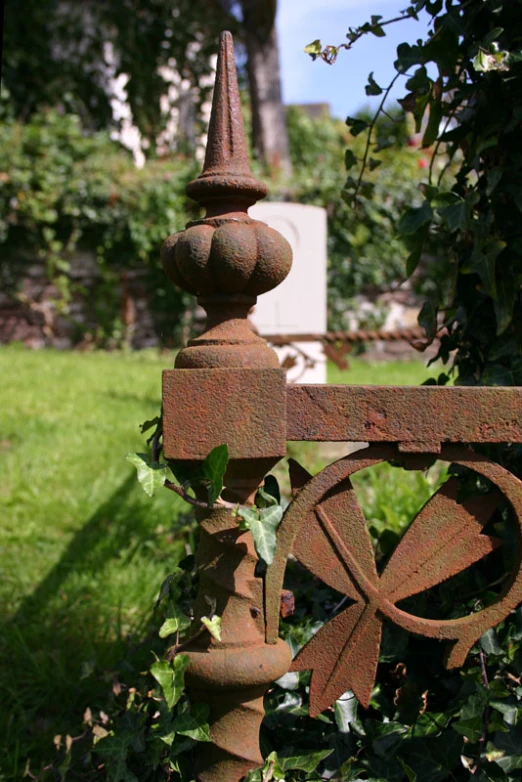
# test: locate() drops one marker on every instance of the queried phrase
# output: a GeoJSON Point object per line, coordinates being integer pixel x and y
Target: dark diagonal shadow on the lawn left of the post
{"type": "Point", "coordinates": [59, 649]}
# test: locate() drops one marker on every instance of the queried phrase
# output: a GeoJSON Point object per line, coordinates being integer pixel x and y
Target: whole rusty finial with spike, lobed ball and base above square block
{"type": "Point", "coordinates": [227, 259]}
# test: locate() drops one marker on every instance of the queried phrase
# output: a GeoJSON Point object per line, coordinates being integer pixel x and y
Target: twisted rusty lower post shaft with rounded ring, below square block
{"type": "Point", "coordinates": [233, 674]}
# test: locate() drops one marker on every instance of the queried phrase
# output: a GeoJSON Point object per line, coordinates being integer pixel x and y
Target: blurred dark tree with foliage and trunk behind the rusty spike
{"type": "Point", "coordinates": [61, 53]}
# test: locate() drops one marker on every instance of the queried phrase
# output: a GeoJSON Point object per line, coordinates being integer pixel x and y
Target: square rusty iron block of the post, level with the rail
{"type": "Point", "coordinates": [203, 408]}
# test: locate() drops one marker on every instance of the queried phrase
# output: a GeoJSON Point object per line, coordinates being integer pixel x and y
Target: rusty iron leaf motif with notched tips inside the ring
{"type": "Point", "coordinates": [444, 538]}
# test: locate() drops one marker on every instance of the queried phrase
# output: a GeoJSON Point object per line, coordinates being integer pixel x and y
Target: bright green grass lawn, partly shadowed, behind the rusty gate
{"type": "Point", "coordinates": [82, 549]}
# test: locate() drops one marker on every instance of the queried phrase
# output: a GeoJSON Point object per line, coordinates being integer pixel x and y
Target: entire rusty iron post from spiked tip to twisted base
{"type": "Point", "coordinates": [227, 387]}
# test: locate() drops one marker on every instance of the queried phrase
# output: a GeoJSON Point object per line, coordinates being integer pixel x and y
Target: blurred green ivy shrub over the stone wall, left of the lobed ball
{"type": "Point", "coordinates": [63, 191]}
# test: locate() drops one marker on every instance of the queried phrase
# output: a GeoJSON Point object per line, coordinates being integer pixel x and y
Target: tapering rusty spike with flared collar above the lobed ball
{"type": "Point", "coordinates": [226, 173]}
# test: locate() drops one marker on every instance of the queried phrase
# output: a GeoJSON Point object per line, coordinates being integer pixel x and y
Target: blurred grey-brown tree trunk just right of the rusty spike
{"type": "Point", "coordinates": [270, 138]}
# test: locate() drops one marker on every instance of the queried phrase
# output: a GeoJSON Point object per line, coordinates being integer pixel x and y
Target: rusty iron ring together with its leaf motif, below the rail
{"type": "Point", "coordinates": [325, 529]}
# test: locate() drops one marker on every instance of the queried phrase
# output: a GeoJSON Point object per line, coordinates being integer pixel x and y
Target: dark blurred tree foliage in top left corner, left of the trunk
{"type": "Point", "coordinates": [55, 54]}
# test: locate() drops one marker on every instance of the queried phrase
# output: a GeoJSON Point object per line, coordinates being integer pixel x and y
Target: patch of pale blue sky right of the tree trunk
{"type": "Point", "coordinates": [341, 85]}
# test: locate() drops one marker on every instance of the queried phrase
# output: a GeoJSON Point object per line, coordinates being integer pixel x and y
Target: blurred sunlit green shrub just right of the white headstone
{"type": "Point", "coordinates": [365, 254]}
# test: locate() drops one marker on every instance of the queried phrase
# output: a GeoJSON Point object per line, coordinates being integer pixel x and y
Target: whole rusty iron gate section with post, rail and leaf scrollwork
{"type": "Point", "coordinates": [227, 387]}
